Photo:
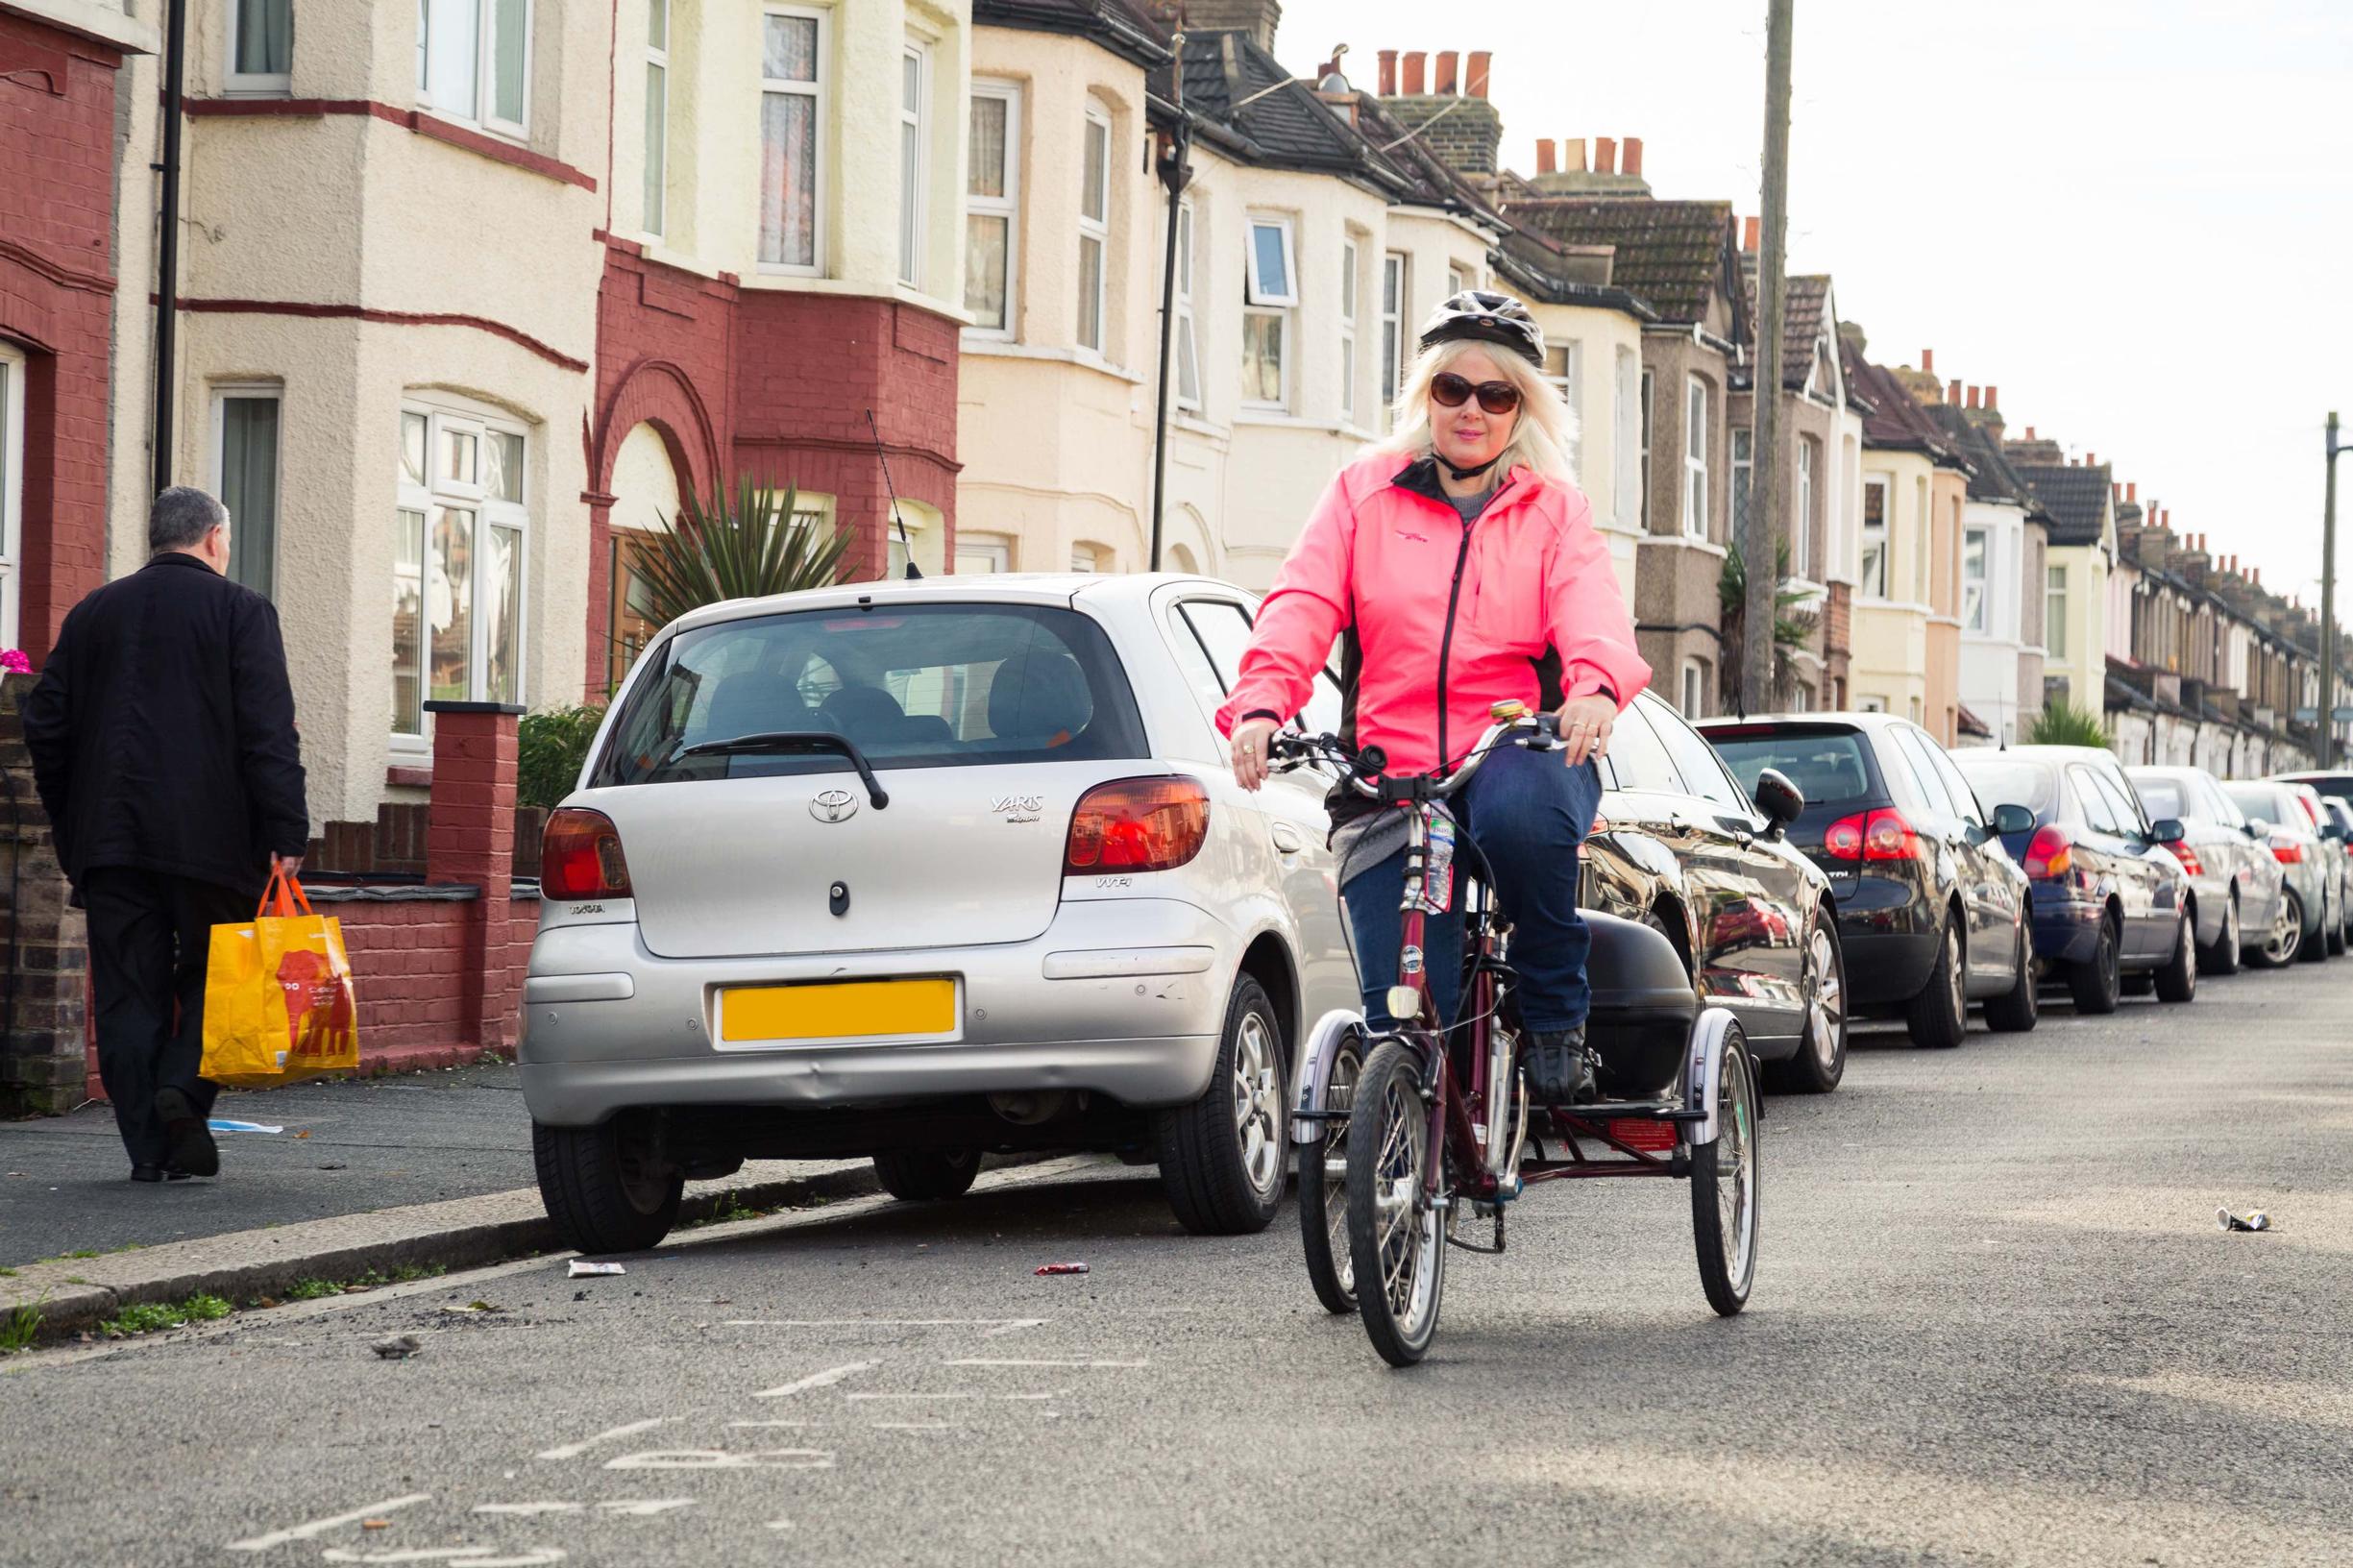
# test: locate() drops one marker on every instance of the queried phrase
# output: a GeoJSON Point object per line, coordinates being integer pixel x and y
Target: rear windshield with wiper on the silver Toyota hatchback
{"type": "Point", "coordinates": [909, 686]}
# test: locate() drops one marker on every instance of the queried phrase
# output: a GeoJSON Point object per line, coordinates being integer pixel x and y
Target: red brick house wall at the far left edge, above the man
{"type": "Point", "coordinates": [58, 288]}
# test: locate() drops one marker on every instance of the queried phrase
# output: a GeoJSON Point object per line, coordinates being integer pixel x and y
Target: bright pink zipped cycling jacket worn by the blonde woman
{"type": "Point", "coordinates": [1441, 618]}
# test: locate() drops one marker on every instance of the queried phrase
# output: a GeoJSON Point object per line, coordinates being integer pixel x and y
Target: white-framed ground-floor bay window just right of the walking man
{"type": "Point", "coordinates": [460, 540]}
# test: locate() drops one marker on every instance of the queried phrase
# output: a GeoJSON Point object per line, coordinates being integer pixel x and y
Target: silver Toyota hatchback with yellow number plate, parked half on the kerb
{"type": "Point", "coordinates": [916, 872]}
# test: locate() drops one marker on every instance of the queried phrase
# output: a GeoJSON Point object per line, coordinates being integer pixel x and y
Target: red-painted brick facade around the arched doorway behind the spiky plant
{"type": "Point", "coordinates": [773, 385]}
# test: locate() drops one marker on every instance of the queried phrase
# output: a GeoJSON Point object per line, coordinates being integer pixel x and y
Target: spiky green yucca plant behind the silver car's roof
{"type": "Point", "coordinates": [740, 547]}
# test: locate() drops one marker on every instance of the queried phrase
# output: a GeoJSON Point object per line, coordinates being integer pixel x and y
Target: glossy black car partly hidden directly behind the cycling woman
{"type": "Point", "coordinates": [1691, 851]}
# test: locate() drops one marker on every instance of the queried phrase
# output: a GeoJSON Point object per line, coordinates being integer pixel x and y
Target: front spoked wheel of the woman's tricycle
{"type": "Point", "coordinates": [1397, 1247]}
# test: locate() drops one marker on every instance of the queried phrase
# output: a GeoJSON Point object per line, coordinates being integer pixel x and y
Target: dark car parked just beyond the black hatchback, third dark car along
{"type": "Point", "coordinates": [2107, 891]}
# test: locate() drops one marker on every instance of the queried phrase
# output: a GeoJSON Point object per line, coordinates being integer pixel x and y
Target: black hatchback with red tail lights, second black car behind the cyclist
{"type": "Point", "coordinates": [1931, 905]}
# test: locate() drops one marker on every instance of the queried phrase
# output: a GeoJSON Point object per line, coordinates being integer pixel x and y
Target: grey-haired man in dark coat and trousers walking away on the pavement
{"type": "Point", "coordinates": [164, 748]}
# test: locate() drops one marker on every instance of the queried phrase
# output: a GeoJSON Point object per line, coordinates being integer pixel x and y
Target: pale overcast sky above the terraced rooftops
{"type": "Point", "coordinates": [2131, 215]}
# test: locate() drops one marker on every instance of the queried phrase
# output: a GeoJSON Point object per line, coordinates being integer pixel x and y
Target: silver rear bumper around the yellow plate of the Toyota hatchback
{"type": "Point", "coordinates": [1124, 997]}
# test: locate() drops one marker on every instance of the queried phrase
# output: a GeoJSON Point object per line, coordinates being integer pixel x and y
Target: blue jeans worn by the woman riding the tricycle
{"type": "Point", "coordinates": [1528, 816]}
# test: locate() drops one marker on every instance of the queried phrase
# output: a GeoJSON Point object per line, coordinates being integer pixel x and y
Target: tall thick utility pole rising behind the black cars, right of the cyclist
{"type": "Point", "coordinates": [1761, 531]}
